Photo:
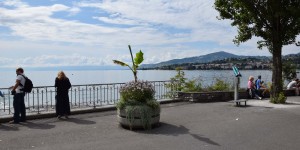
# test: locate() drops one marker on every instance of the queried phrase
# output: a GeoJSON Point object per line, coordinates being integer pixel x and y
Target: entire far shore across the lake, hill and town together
{"type": "Point", "coordinates": [223, 61]}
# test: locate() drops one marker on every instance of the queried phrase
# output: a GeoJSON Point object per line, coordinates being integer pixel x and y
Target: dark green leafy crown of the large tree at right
{"type": "Point", "coordinates": [262, 18]}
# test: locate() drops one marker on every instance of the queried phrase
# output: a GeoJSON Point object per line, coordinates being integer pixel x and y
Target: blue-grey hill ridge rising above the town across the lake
{"type": "Point", "coordinates": [200, 59]}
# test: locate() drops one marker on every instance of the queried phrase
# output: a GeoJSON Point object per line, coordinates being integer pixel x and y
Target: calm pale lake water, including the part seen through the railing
{"type": "Point", "coordinates": [107, 94]}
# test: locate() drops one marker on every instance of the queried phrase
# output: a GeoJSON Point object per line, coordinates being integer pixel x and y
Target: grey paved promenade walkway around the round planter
{"type": "Point", "coordinates": [184, 126]}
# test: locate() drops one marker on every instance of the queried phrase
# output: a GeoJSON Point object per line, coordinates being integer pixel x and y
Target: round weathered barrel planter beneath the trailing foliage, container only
{"type": "Point", "coordinates": [136, 121]}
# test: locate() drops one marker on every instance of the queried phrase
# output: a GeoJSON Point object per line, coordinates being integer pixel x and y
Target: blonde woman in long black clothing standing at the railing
{"type": "Point", "coordinates": [62, 84]}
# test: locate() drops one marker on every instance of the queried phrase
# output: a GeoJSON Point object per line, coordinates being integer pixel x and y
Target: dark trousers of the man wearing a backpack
{"type": "Point", "coordinates": [19, 107]}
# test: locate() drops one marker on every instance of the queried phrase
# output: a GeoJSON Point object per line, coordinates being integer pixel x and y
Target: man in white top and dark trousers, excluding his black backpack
{"type": "Point", "coordinates": [18, 103]}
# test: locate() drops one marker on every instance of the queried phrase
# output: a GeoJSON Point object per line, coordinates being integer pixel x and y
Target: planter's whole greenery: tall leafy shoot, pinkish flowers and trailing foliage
{"type": "Point", "coordinates": [137, 98]}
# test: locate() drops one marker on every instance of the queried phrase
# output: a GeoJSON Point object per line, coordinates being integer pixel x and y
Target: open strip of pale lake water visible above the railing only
{"type": "Point", "coordinates": [207, 77]}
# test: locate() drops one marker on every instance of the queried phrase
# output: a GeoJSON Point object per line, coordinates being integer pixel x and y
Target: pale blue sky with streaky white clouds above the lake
{"type": "Point", "coordinates": [47, 33]}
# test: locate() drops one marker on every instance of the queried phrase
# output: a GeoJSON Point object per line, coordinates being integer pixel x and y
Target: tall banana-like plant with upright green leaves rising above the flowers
{"type": "Point", "coordinates": [139, 58]}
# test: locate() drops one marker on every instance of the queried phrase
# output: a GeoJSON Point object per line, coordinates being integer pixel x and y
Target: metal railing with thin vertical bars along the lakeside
{"type": "Point", "coordinates": [42, 99]}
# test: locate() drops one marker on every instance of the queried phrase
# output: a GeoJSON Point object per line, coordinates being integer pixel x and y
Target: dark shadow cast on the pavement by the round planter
{"type": "Point", "coordinates": [172, 130]}
